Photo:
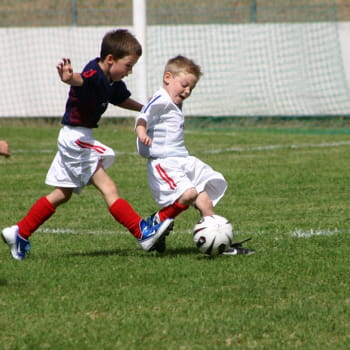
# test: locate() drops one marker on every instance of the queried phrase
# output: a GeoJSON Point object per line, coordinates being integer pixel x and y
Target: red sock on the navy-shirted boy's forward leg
{"type": "Point", "coordinates": [126, 215]}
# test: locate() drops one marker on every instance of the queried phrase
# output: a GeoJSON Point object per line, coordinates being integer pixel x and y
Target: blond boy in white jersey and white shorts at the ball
{"type": "Point", "coordinates": [177, 180]}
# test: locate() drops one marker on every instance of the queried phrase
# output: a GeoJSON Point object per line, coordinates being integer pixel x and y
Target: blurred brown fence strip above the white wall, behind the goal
{"type": "Point", "coordinates": [28, 13]}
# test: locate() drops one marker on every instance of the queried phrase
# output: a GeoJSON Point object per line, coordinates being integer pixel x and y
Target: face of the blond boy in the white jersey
{"type": "Point", "coordinates": [179, 86]}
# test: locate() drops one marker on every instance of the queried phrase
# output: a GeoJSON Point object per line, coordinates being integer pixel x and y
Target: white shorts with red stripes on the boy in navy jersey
{"type": "Point", "coordinates": [77, 158]}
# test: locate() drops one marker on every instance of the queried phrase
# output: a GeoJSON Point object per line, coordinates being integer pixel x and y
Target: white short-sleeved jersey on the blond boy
{"type": "Point", "coordinates": [165, 126]}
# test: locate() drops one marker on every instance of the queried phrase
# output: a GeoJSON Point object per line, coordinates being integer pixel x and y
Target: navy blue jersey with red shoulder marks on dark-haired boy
{"type": "Point", "coordinates": [87, 103]}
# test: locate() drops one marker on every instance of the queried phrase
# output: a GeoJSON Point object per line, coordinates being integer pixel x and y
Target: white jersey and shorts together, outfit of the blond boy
{"type": "Point", "coordinates": [171, 170]}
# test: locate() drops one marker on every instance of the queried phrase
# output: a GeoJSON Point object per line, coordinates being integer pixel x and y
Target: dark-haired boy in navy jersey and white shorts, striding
{"type": "Point", "coordinates": [82, 160]}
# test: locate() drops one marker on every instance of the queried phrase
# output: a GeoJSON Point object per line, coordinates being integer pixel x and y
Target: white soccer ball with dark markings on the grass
{"type": "Point", "coordinates": [213, 234]}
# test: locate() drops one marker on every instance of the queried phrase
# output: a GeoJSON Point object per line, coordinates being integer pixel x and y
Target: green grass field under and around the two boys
{"type": "Point", "coordinates": [88, 285]}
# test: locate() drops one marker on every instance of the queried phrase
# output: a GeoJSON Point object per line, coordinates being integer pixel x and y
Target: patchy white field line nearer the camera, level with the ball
{"type": "Point", "coordinates": [299, 233]}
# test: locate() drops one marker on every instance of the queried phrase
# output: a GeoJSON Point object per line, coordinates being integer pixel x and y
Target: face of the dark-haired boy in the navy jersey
{"type": "Point", "coordinates": [116, 70]}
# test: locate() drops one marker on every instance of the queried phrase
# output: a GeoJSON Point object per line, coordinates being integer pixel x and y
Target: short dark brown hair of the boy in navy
{"type": "Point", "coordinates": [120, 43]}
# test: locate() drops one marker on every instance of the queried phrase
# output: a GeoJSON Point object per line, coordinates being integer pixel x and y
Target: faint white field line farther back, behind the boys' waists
{"type": "Point", "coordinates": [227, 150]}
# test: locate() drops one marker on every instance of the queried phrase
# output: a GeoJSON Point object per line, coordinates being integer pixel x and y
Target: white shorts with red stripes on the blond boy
{"type": "Point", "coordinates": [170, 177]}
